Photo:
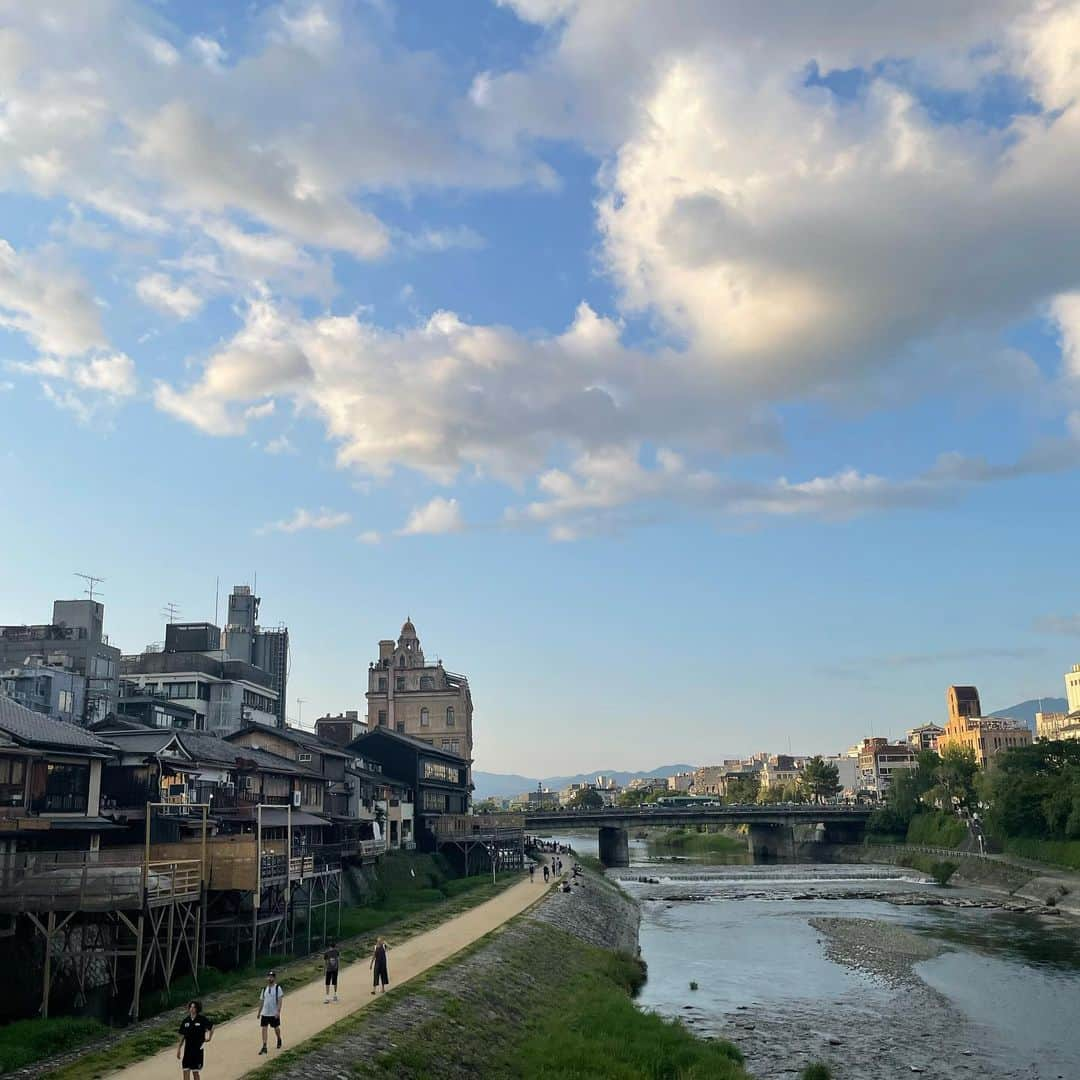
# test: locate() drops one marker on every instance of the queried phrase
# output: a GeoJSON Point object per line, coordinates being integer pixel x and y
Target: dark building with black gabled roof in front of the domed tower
{"type": "Point", "coordinates": [438, 779]}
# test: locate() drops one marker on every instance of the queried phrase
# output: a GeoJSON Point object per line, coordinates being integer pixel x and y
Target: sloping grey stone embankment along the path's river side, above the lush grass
{"type": "Point", "coordinates": [467, 1003]}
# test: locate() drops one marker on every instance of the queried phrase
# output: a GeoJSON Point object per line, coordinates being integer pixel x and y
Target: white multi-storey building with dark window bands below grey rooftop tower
{"type": "Point", "coordinates": [225, 694]}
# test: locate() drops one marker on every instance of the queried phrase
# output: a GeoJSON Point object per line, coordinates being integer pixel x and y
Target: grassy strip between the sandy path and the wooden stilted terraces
{"type": "Point", "coordinates": [412, 895]}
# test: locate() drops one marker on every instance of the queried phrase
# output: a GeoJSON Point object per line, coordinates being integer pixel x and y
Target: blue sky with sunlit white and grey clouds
{"type": "Point", "coordinates": [701, 379]}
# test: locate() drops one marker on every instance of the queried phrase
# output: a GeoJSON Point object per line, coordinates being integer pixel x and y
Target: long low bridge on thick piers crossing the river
{"type": "Point", "coordinates": [771, 832]}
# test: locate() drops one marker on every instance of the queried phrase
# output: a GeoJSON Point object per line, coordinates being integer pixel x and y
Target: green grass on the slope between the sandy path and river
{"type": "Point", "coordinates": [552, 1007]}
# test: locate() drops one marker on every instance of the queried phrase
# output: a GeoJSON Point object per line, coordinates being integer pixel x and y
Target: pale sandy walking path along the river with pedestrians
{"type": "Point", "coordinates": [234, 1050]}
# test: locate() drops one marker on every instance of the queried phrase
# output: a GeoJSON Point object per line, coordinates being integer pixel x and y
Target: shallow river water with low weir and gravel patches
{"type": "Point", "coordinates": [800, 962]}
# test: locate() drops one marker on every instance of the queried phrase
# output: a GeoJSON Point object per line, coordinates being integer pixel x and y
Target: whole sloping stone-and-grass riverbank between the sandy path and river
{"type": "Point", "coordinates": [547, 996]}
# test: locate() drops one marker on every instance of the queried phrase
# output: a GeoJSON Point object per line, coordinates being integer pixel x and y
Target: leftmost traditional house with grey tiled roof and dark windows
{"type": "Point", "coordinates": [50, 784]}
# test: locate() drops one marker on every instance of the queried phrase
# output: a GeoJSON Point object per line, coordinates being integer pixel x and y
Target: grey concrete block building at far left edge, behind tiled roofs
{"type": "Point", "coordinates": [75, 641]}
